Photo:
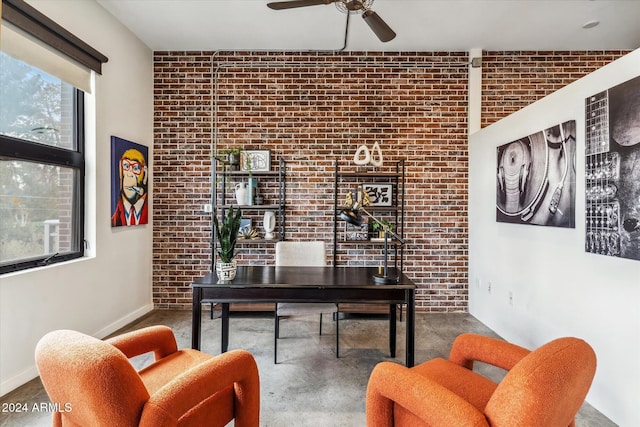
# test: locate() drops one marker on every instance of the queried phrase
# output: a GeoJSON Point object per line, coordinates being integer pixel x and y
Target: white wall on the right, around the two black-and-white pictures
{"type": "Point", "coordinates": [558, 289]}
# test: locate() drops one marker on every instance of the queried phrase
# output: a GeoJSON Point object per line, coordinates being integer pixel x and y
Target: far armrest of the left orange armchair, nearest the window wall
{"type": "Point", "coordinates": [159, 339]}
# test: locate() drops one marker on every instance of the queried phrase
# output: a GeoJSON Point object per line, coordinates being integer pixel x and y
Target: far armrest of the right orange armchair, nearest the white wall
{"type": "Point", "coordinates": [469, 347]}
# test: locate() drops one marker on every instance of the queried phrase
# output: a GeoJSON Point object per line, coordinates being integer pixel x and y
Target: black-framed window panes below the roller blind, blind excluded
{"type": "Point", "coordinates": [41, 167]}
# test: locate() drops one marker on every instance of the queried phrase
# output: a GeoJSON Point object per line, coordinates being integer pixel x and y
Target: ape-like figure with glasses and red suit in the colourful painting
{"type": "Point", "coordinates": [132, 208]}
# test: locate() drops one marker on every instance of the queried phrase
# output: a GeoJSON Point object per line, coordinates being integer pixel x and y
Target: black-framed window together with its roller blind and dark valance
{"type": "Point", "coordinates": [44, 74]}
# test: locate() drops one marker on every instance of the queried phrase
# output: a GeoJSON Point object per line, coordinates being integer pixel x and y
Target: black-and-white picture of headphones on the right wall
{"type": "Point", "coordinates": [536, 178]}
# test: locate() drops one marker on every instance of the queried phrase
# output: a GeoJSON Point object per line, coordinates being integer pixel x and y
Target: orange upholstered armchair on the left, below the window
{"type": "Point", "coordinates": [96, 385]}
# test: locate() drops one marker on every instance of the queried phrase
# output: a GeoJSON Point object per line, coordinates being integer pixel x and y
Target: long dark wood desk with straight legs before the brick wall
{"type": "Point", "coordinates": [305, 284]}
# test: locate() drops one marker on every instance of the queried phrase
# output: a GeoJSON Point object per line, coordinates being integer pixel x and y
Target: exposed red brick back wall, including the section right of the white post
{"type": "Point", "coordinates": [313, 109]}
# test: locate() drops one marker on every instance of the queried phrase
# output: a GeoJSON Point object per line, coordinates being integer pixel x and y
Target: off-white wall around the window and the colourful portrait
{"type": "Point", "coordinates": [112, 285]}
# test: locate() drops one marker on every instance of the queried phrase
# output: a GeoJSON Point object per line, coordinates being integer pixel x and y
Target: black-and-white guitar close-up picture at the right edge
{"type": "Point", "coordinates": [612, 171]}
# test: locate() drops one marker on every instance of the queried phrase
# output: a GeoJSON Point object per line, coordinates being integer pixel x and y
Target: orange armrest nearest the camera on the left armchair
{"type": "Point", "coordinates": [188, 390]}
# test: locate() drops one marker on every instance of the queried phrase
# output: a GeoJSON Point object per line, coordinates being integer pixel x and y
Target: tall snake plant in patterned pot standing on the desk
{"type": "Point", "coordinates": [226, 232]}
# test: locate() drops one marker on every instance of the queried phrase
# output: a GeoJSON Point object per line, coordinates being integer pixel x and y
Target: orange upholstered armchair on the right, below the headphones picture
{"type": "Point", "coordinates": [544, 387]}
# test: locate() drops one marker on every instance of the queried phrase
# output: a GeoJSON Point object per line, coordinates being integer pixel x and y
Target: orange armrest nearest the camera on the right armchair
{"type": "Point", "coordinates": [391, 383]}
